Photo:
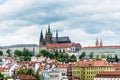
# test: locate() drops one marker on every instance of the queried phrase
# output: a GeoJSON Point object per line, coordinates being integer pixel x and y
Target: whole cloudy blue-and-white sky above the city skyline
{"type": "Point", "coordinates": [82, 20]}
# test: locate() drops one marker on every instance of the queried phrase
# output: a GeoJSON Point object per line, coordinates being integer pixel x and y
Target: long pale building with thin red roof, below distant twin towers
{"type": "Point", "coordinates": [102, 50]}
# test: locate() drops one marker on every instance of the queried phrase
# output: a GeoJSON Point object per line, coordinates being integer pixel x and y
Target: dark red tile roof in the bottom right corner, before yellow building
{"type": "Point", "coordinates": [108, 74]}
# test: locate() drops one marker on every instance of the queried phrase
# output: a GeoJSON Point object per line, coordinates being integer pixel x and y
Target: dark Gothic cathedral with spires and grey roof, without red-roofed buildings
{"type": "Point", "coordinates": [49, 39]}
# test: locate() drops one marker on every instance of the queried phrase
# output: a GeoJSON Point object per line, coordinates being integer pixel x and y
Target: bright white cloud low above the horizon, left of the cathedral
{"type": "Point", "coordinates": [21, 35]}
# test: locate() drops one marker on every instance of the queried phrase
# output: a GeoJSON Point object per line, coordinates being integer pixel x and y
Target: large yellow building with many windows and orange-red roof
{"type": "Point", "coordinates": [87, 70]}
